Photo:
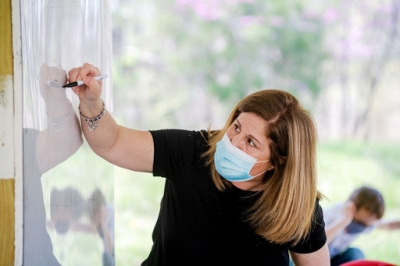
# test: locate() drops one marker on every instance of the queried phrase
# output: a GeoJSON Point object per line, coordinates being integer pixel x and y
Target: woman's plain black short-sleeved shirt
{"type": "Point", "coordinates": [199, 225]}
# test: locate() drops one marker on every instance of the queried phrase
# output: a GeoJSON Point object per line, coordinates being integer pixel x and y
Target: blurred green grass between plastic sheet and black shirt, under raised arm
{"type": "Point", "coordinates": [137, 203]}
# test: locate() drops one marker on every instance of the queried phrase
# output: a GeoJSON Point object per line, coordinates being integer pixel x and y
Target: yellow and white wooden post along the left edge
{"type": "Point", "coordinates": [7, 173]}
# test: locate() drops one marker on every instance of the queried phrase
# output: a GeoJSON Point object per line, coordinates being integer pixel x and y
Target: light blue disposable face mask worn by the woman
{"type": "Point", "coordinates": [232, 163]}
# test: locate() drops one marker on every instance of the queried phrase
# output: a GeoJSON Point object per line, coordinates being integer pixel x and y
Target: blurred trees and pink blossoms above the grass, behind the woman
{"type": "Point", "coordinates": [336, 56]}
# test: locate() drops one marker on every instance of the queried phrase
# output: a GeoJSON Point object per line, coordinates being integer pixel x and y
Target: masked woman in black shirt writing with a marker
{"type": "Point", "coordinates": [243, 195]}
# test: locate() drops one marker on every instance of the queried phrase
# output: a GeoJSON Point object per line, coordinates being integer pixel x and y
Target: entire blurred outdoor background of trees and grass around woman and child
{"type": "Point", "coordinates": [185, 63]}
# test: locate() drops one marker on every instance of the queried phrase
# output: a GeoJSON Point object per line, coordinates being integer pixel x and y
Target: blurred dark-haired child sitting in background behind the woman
{"type": "Point", "coordinates": [344, 222]}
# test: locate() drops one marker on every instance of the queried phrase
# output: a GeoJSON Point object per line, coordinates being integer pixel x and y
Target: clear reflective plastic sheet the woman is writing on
{"type": "Point", "coordinates": [68, 190]}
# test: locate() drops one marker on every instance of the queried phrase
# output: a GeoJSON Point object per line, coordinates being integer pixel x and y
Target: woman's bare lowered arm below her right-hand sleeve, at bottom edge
{"type": "Point", "coordinates": [317, 258]}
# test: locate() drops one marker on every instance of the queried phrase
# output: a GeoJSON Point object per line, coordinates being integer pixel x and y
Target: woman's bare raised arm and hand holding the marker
{"type": "Point", "coordinates": [127, 148]}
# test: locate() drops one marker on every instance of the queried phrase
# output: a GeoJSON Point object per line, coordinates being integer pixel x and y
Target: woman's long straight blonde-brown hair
{"type": "Point", "coordinates": [284, 211]}
